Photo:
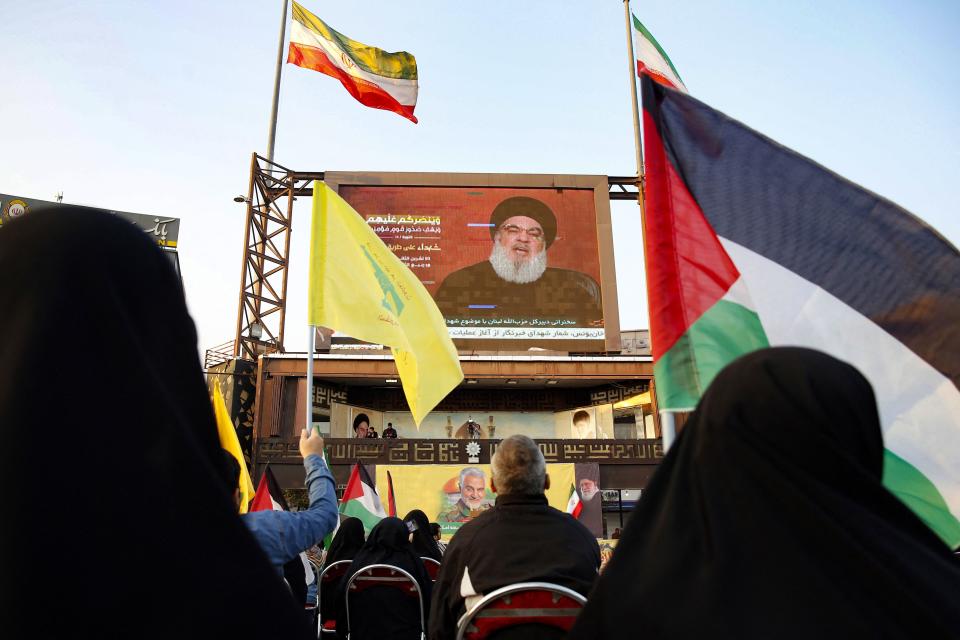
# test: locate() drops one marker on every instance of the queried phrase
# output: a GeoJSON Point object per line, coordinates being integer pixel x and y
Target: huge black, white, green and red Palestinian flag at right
{"type": "Point", "coordinates": [749, 244]}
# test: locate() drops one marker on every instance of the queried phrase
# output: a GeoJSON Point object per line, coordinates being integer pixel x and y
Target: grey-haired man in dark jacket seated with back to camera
{"type": "Point", "coordinates": [520, 539]}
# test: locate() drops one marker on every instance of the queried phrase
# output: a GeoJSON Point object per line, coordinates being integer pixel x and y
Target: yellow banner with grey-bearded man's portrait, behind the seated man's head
{"type": "Point", "coordinates": [453, 494]}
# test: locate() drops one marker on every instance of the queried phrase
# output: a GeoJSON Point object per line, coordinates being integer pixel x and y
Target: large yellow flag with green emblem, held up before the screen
{"type": "Point", "coordinates": [358, 286]}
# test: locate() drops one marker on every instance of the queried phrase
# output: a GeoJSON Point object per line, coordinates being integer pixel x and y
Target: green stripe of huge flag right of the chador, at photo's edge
{"type": "Point", "coordinates": [922, 496]}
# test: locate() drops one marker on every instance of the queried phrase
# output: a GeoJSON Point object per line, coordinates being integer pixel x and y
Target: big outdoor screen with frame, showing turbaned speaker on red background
{"type": "Point", "coordinates": [510, 267]}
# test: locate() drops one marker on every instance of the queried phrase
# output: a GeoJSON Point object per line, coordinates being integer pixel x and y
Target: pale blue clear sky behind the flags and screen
{"type": "Point", "coordinates": [155, 107]}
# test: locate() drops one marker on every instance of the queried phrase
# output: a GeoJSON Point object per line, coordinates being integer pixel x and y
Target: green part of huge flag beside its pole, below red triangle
{"type": "Point", "coordinates": [725, 332]}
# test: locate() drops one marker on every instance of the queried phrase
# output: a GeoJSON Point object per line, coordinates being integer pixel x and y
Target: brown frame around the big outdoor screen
{"type": "Point", "coordinates": [598, 184]}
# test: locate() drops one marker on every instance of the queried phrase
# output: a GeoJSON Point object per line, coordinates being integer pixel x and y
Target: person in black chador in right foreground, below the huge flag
{"type": "Point", "coordinates": [768, 519]}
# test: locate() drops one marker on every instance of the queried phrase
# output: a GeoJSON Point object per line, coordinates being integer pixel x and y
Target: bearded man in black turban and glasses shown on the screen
{"type": "Point", "coordinates": [515, 281]}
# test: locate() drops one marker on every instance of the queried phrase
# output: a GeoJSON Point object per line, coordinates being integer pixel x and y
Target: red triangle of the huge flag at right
{"type": "Point", "coordinates": [688, 270]}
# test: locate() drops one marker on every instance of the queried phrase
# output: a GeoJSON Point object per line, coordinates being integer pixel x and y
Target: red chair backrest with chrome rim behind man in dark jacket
{"type": "Point", "coordinates": [540, 603]}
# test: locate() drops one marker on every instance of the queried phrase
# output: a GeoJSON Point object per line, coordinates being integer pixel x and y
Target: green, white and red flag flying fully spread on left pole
{"type": "Point", "coordinates": [375, 77]}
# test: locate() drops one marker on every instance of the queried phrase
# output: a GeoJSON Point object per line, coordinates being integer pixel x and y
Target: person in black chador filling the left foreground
{"type": "Point", "coordinates": [110, 441]}
